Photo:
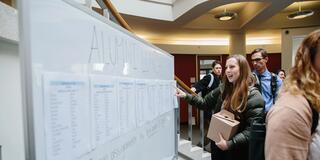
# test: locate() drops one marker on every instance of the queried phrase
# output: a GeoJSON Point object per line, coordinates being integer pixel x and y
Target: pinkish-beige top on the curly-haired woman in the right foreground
{"type": "Point", "coordinates": [290, 118]}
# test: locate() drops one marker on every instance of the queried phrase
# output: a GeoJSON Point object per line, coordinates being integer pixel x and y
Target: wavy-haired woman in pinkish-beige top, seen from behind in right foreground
{"type": "Point", "coordinates": [290, 121]}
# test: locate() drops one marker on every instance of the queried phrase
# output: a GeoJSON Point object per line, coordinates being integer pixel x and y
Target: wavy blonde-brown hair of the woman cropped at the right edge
{"type": "Point", "coordinates": [303, 78]}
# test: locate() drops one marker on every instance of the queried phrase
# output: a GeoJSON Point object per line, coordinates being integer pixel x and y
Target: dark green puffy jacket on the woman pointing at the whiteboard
{"type": "Point", "coordinates": [254, 109]}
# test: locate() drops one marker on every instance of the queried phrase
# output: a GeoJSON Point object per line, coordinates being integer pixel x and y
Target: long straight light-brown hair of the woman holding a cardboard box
{"type": "Point", "coordinates": [235, 96]}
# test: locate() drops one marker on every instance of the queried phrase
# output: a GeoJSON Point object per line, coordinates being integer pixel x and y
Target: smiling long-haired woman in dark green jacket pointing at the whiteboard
{"type": "Point", "coordinates": [237, 95]}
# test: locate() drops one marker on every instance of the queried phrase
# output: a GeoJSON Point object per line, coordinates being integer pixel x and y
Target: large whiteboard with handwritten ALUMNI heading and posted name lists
{"type": "Point", "coordinates": [93, 91]}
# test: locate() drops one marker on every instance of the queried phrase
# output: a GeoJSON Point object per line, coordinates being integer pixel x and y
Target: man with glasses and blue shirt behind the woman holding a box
{"type": "Point", "coordinates": [269, 83]}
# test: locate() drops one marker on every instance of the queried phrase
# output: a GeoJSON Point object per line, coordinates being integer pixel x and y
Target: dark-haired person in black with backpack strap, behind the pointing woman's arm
{"type": "Point", "coordinates": [206, 85]}
